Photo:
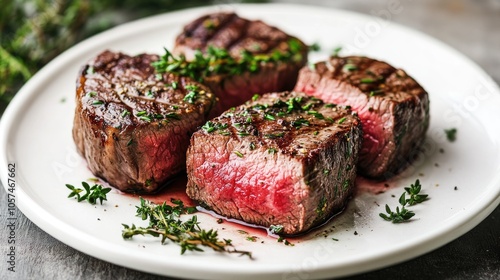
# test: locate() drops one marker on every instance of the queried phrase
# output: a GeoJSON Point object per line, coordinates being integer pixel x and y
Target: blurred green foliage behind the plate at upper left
{"type": "Point", "coordinates": [32, 32]}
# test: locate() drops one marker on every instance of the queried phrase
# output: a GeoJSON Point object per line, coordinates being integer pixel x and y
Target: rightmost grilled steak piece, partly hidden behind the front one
{"type": "Point", "coordinates": [393, 108]}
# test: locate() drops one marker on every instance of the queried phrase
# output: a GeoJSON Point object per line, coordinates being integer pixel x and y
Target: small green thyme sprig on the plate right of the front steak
{"type": "Point", "coordinates": [403, 214]}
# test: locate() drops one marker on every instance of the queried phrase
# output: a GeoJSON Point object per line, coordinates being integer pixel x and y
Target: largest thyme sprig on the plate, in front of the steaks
{"type": "Point", "coordinates": [164, 221]}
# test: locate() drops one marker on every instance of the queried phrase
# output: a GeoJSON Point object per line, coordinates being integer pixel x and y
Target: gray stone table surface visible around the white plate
{"type": "Point", "coordinates": [471, 27]}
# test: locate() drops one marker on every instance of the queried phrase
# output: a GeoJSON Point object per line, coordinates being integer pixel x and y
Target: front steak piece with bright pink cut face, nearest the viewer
{"type": "Point", "coordinates": [284, 159]}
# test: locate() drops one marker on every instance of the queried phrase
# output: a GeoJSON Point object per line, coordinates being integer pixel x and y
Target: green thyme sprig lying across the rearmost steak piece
{"type": "Point", "coordinates": [218, 61]}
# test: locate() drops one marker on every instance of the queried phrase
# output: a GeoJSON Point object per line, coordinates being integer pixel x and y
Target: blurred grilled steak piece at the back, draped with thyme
{"type": "Point", "coordinates": [268, 59]}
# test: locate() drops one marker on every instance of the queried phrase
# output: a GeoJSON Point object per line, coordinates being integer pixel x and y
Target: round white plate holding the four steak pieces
{"type": "Point", "coordinates": [36, 136]}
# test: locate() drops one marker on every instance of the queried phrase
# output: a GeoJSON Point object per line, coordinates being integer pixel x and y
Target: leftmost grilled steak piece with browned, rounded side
{"type": "Point", "coordinates": [132, 126]}
